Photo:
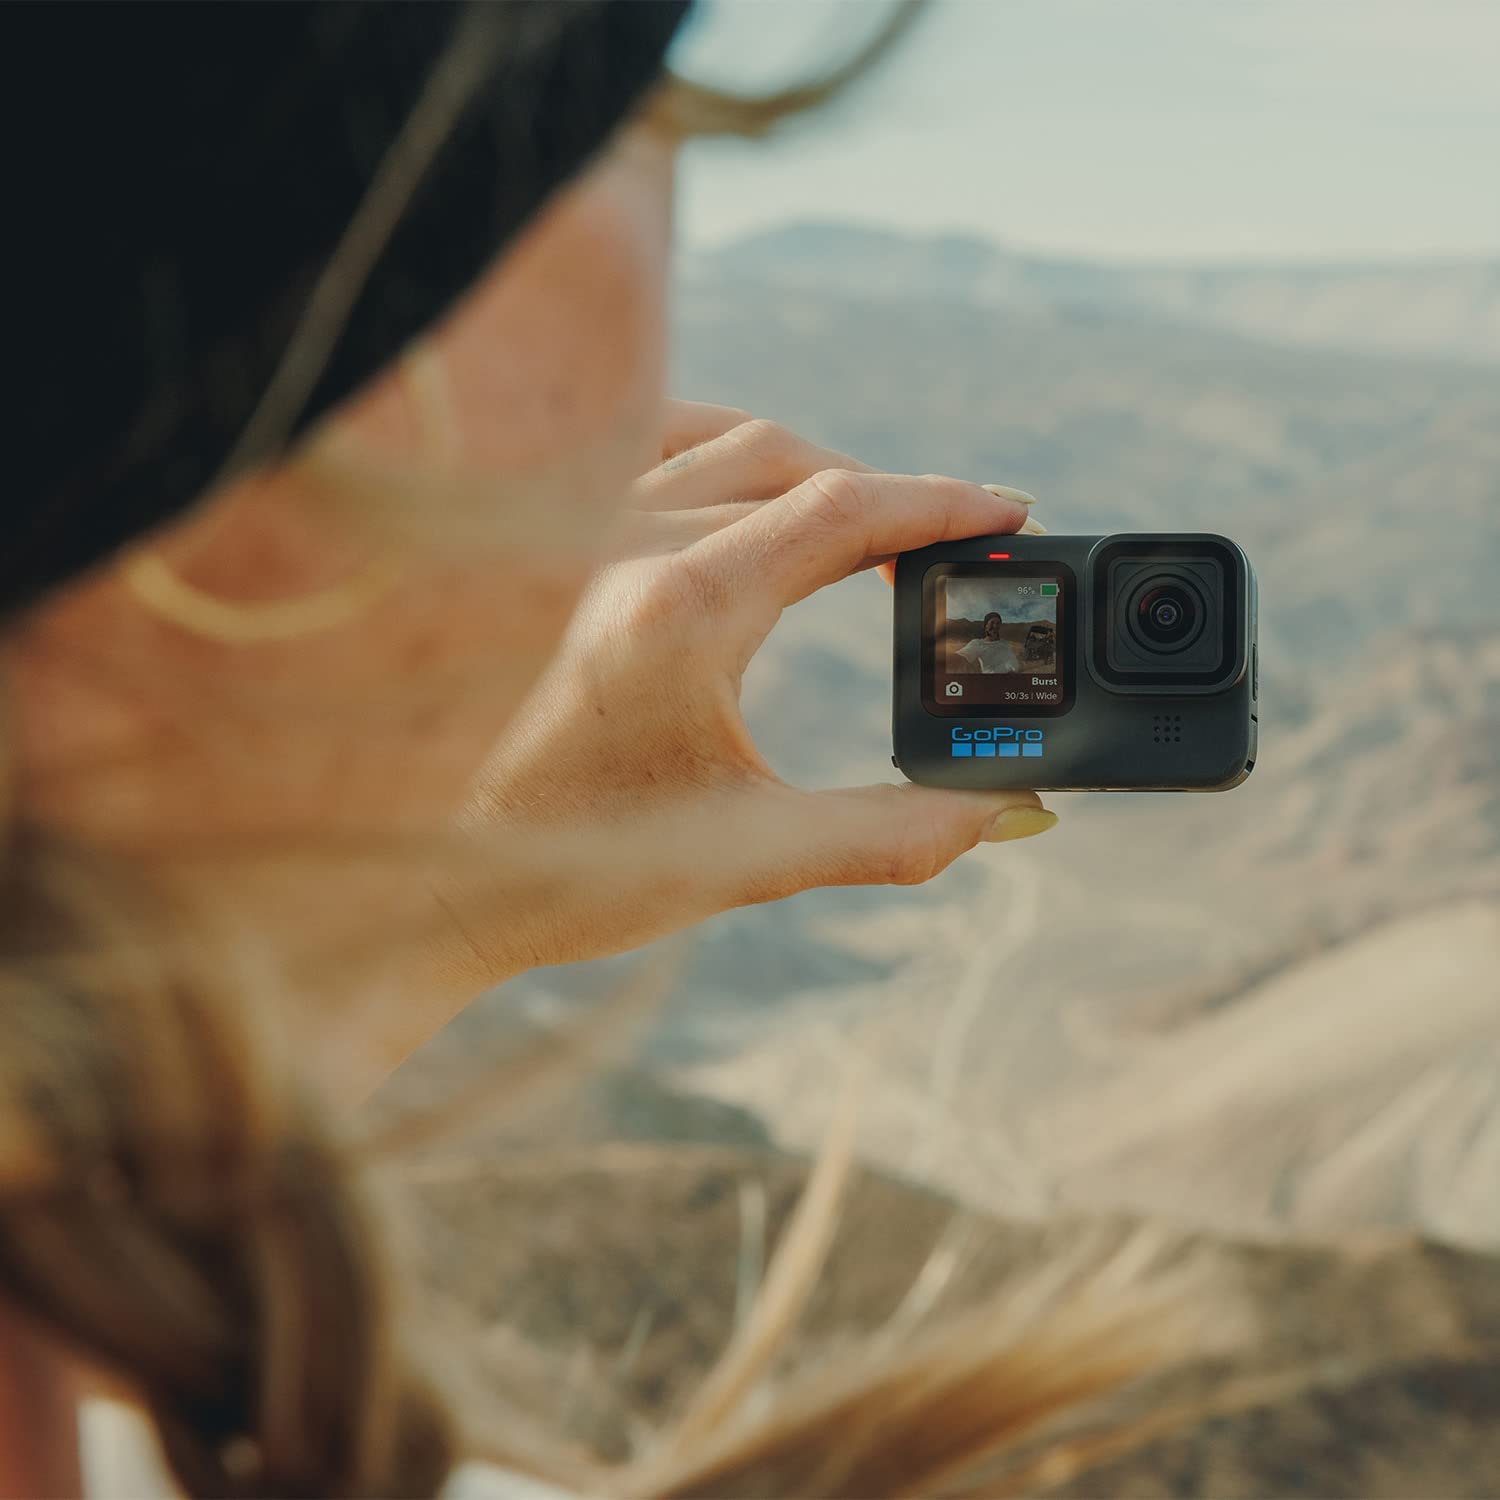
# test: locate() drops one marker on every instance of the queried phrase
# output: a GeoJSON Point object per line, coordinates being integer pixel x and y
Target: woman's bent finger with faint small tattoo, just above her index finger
{"type": "Point", "coordinates": [752, 461]}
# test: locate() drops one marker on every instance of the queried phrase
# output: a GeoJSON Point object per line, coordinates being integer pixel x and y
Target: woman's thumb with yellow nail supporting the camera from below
{"type": "Point", "coordinates": [887, 835]}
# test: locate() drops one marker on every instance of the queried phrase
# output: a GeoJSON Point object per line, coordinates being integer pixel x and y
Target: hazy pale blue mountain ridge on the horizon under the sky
{"type": "Point", "coordinates": [1397, 308]}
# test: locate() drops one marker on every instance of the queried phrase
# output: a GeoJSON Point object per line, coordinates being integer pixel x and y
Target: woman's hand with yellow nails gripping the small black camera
{"type": "Point", "coordinates": [629, 797]}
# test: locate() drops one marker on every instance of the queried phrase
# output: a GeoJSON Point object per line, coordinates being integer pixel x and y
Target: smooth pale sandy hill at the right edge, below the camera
{"type": "Point", "coordinates": [1360, 1087]}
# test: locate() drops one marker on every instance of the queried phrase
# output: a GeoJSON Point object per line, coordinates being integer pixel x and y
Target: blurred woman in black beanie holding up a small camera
{"type": "Point", "coordinates": [374, 632]}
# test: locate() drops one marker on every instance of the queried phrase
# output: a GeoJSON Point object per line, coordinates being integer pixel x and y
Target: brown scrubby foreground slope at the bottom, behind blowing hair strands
{"type": "Point", "coordinates": [1369, 1367]}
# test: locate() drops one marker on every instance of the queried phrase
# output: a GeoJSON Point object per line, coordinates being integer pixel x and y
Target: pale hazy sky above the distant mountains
{"type": "Point", "coordinates": [1126, 128]}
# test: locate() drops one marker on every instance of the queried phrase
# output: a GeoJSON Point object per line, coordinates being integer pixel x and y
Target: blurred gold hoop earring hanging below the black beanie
{"type": "Point", "coordinates": [202, 614]}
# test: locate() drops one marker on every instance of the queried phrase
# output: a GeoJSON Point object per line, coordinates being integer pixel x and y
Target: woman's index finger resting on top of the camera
{"type": "Point", "coordinates": [842, 521]}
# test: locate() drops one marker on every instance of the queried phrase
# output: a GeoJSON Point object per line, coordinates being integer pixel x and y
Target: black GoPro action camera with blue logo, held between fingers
{"type": "Point", "coordinates": [1124, 664]}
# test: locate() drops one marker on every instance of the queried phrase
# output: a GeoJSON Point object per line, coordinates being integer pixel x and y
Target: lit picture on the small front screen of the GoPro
{"type": "Point", "coordinates": [997, 641]}
